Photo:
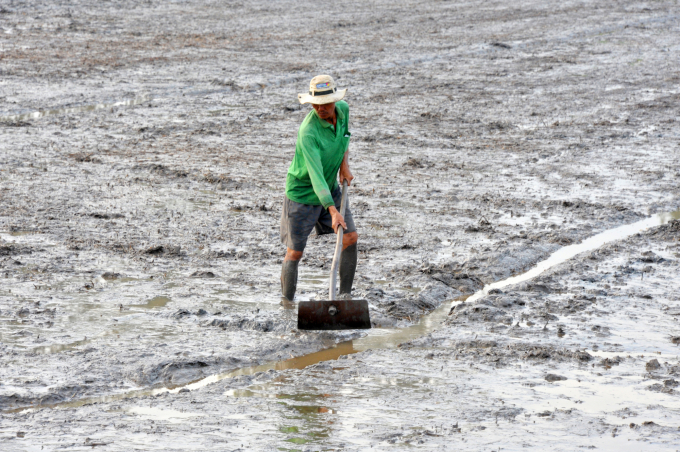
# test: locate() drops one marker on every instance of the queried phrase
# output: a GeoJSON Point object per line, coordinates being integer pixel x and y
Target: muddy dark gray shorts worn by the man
{"type": "Point", "coordinates": [298, 220]}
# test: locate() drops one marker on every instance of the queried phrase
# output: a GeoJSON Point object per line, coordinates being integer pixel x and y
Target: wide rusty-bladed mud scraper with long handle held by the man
{"type": "Point", "coordinates": [334, 314]}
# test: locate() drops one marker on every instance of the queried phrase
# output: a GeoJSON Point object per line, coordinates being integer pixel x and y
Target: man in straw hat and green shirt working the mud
{"type": "Point", "coordinates": [313, 195]}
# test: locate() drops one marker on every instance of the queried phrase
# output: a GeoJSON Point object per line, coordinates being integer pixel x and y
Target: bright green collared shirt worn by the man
{"type": "Point", "coordinates": [319, 151]}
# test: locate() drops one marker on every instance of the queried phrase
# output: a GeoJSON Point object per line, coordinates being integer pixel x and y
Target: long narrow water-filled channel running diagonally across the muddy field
{"type": "Point", "coordinates": [390, 338]}
